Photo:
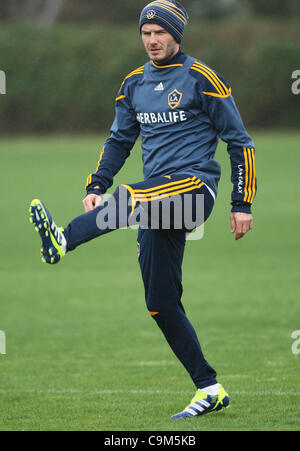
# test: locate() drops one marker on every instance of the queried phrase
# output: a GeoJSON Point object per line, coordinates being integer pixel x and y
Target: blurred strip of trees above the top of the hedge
{"type": "Point", "coordinates": [119, 11]}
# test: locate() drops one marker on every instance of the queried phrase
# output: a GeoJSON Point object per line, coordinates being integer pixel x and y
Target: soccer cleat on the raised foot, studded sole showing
{"type": "Point", "coordinates": [53, 240]}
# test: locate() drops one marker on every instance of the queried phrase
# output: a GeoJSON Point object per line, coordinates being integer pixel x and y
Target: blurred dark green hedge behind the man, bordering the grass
{"type": "Point", "coordinates": [65, 78]}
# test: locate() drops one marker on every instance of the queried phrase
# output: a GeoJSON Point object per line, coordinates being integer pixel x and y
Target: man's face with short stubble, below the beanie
{"type": "Point", "coordinates": [159, 43]}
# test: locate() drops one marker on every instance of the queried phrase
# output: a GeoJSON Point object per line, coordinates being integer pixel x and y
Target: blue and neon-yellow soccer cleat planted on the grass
{"type": "Point", "coordinates": [203, 403]}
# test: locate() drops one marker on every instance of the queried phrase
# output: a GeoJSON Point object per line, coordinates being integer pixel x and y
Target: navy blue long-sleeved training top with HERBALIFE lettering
{"type": "Point", "coordinates": [180, 109]}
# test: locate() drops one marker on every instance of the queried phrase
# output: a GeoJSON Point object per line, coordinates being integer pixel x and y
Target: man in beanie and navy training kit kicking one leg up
{"type": "Point", "coordinates": [180, 107]}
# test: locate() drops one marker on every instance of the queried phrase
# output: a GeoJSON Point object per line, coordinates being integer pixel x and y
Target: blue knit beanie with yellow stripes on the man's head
{"type": "Point", "coordinates": [170, 15]}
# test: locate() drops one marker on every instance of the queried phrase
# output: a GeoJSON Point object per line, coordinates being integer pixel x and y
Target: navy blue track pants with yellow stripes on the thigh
{"type": "Point", "coordinates": [166, 209]}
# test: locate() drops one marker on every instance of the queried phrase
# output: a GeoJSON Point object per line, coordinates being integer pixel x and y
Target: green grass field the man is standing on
{"type": "Point", "coordinates": [82, 351]}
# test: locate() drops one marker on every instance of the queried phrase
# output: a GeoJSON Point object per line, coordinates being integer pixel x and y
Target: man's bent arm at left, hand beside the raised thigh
{"type": "Point", "coordinates": [124, 133]}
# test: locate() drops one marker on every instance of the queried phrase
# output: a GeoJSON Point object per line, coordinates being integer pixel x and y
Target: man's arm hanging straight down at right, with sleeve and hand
{"type": "Point", "coordinates": [229, 125]}
